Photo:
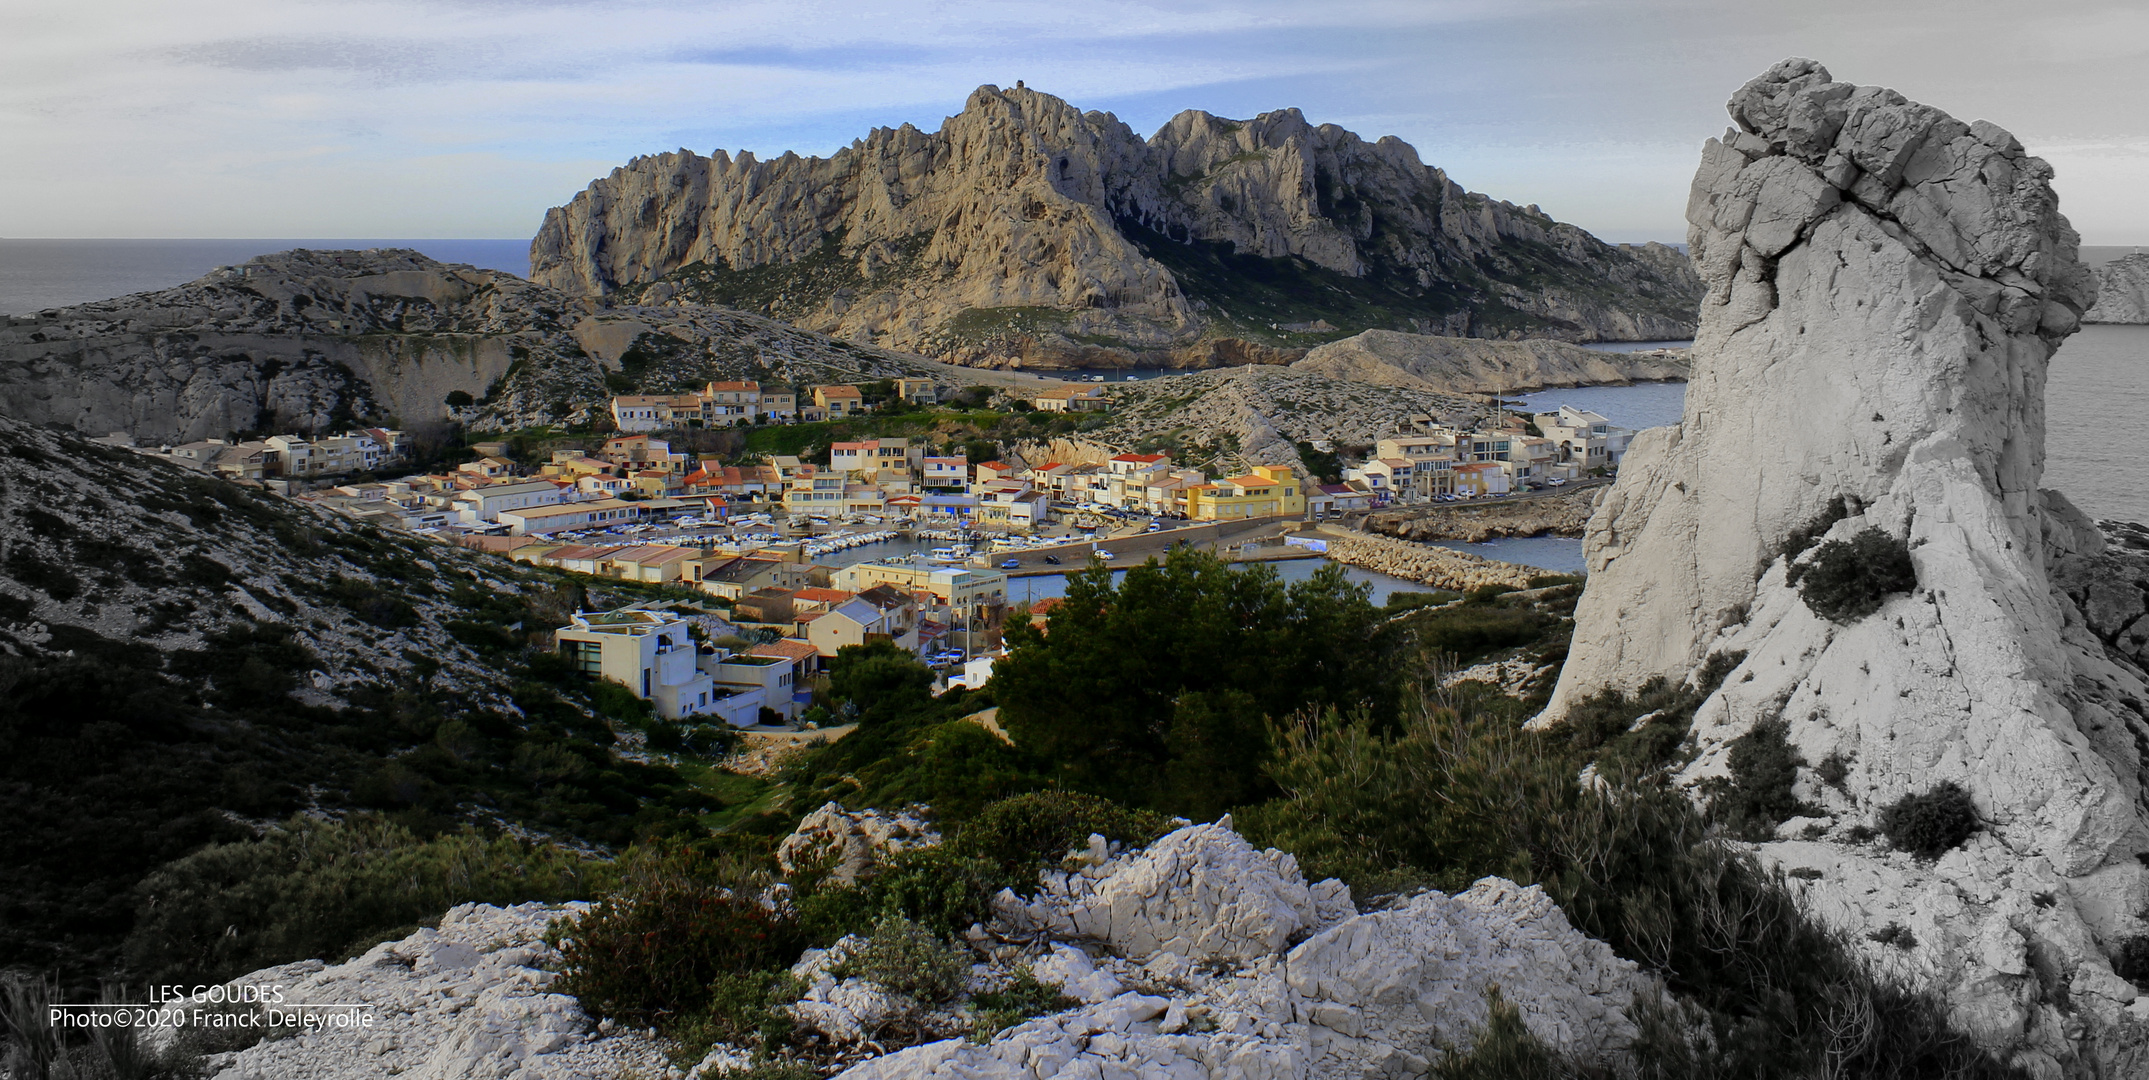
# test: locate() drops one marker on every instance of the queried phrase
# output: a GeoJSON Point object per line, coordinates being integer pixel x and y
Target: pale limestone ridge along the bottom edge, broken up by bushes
{"type": "Point", "coordinates": [1198, 954]}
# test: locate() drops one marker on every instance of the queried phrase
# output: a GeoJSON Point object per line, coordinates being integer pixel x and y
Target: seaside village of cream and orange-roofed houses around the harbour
{"type": "Point", "coordinates": [753, 544]}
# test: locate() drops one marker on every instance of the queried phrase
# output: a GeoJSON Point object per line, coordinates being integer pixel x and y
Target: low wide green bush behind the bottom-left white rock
{"type": "Point", "coordinates": [330, 890]}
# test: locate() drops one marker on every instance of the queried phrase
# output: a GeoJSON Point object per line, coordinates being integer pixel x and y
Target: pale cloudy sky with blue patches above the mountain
{"type": "Point", "coordinates": [263, 119]}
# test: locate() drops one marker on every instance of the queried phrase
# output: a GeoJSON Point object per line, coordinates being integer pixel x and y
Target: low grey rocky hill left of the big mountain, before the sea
{"type": "Point", "coordinates": [321, 340]}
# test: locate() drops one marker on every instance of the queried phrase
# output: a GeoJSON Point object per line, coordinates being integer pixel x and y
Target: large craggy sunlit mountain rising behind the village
{"type": "Point", "coordinates": [1026, 229]}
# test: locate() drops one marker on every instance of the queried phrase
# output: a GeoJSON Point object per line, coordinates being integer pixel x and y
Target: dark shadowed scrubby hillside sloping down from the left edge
{"type": "Point", "coordinates": [188, 660]}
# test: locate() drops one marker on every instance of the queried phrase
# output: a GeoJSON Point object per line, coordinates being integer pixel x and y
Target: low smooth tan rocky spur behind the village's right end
{"type": "Point", "coordinates": [1469, 366]}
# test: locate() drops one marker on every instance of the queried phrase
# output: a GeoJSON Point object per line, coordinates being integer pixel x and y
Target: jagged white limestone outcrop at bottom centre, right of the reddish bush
{"type": "Point", "coordinates": [1202, 957]}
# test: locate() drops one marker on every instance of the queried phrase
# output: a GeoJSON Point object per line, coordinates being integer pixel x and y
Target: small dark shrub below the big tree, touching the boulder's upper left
{"type": "Point", "coordinates": [1033, 832]}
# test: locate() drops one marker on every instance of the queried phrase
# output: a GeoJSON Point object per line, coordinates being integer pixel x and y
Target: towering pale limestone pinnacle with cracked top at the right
{"type": "Point", "coordinates": [1886, 287]}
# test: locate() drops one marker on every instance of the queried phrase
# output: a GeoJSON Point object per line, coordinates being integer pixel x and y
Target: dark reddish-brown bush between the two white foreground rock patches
{"type": "Point", "coordinates": [678, 920]}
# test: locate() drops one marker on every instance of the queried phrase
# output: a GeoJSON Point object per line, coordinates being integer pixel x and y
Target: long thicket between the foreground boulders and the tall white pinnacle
{"type": "Point", "coordinates": [1761, 987]}
